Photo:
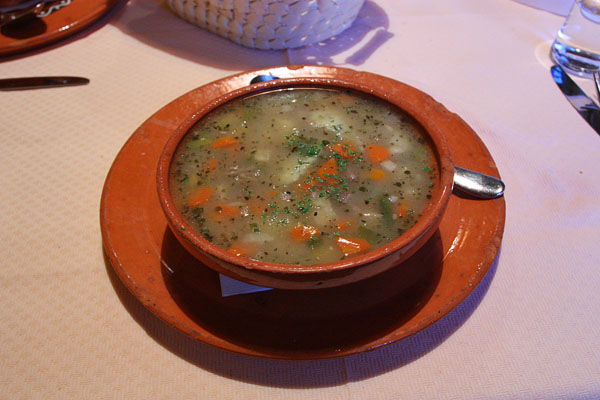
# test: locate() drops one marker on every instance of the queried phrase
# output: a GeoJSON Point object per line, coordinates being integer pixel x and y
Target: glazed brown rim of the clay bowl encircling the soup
{"type": "Point", "coordinates": [431, 215]}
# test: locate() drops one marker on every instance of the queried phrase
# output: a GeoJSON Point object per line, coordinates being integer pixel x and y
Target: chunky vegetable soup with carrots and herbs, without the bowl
{"type": "Point", "coordinates": [303, 176]}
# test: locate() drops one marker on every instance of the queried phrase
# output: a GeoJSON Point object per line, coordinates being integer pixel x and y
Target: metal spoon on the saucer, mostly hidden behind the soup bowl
{"type": "Point", "coordinates": [471, 182]}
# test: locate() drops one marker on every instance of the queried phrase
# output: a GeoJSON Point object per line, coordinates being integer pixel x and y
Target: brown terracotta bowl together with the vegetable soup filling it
{"type": "Point", "coordinates": [305, 183]}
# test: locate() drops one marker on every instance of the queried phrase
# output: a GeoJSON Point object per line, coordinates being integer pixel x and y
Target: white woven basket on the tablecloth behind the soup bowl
{"type": "Point", "coordinates": [270, 24]}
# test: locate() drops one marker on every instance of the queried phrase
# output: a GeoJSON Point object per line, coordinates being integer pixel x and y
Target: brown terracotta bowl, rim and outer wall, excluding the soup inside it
{"type": "Point", "coordinates": [293, 276]}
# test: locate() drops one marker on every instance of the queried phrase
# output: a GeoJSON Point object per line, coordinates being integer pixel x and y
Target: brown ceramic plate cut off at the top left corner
{"type": "Point", "coordinates": [34, 32]}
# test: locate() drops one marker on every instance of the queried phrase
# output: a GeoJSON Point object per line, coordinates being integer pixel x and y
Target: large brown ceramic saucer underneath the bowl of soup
{"type": "Point", "coordinates": [289, 324]}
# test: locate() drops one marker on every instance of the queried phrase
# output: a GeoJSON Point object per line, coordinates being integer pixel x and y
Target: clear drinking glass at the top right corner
{"type": "Point", "coordinates": [577, 44]}
